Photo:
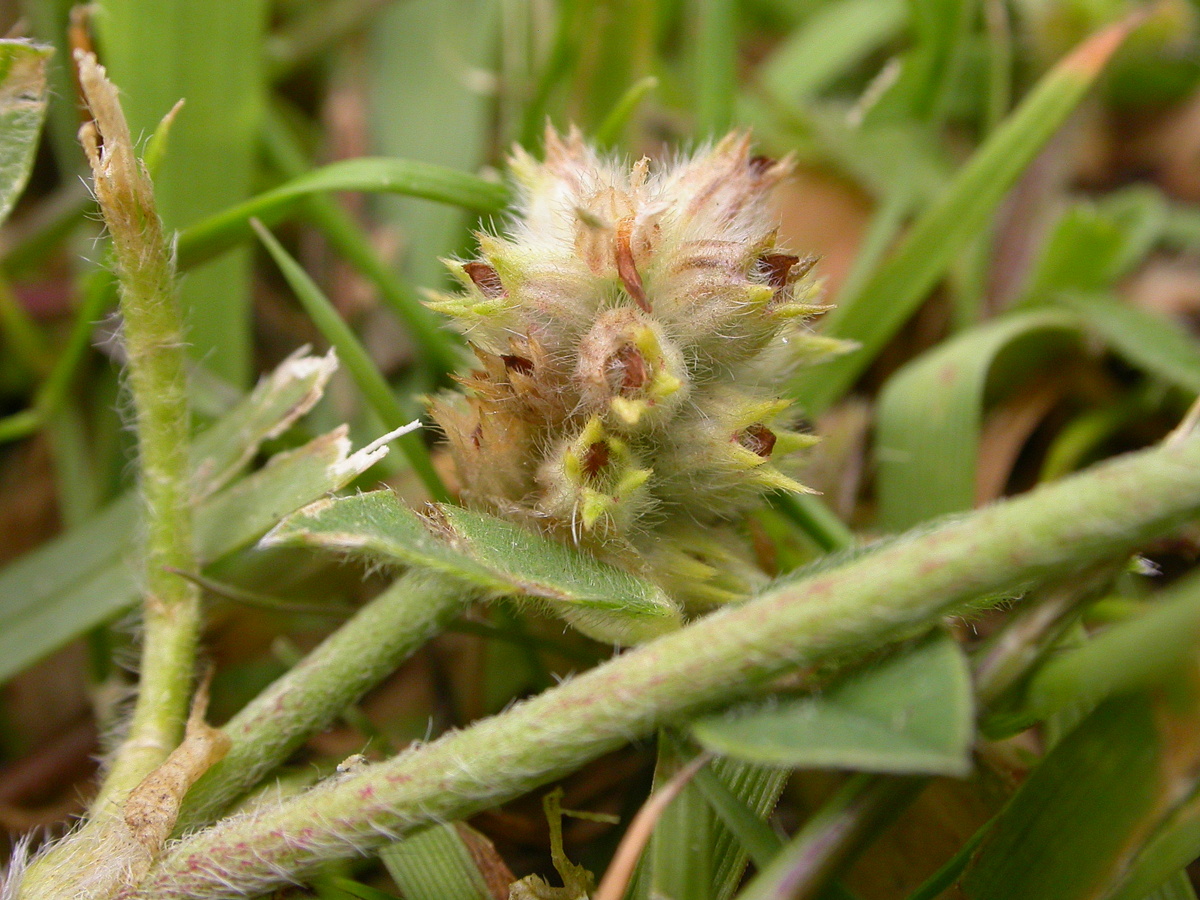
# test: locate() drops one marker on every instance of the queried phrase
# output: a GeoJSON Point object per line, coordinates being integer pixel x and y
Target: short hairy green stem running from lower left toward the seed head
{"type": "Point", "coordinates": [351, 662]}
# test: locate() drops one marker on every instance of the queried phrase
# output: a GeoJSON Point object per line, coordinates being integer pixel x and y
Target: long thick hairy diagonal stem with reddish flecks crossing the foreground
{"type": "Point", "coordinates": [837, 614]}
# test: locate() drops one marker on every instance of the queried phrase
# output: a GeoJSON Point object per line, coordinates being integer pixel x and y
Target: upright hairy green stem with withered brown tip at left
{"type": "Point", "coordinates": [154, 344]}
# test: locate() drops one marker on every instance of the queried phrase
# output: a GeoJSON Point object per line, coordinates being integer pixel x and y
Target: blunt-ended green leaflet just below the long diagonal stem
{"type": "Point", "coordinates": [911, 713]}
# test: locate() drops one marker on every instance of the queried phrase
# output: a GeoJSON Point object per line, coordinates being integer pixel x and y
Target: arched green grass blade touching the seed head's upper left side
{"type": "Point", "coordinates": [225, 230]}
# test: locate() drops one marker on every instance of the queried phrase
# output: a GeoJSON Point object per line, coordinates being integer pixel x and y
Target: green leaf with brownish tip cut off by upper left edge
{"type": "Point", "coordinates": [22, 112]}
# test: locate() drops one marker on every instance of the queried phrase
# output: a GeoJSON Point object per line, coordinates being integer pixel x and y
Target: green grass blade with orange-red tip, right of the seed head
{"type": "Point", "coordinates": [940, 235]}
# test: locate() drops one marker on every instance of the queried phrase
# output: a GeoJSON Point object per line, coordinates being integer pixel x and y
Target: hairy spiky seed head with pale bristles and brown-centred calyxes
{"type": "Point", "coordinates": [633, 328]}
